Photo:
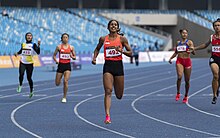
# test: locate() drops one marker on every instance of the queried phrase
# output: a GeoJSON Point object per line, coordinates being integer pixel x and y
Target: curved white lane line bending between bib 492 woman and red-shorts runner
{"type": "Point", "coordinates": [165, 122]}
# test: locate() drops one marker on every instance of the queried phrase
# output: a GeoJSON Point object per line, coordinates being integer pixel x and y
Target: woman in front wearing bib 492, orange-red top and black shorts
{"type": "Point", "coordinates": [113, 72]}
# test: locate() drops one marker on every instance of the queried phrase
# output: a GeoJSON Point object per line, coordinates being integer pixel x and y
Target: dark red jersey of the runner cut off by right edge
{"type": "Point", "coordinates": [215, 45]}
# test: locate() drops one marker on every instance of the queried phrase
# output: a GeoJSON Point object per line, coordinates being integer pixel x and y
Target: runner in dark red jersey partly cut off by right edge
{"type": "Point", "coordinates": [214, 60]}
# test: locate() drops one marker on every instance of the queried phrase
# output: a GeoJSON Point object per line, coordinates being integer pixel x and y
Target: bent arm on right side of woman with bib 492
{"type": "Point", "coordinates": [124, 42]}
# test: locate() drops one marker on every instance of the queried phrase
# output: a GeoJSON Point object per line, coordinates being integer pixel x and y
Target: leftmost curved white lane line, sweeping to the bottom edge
{"type": "Point", "coordinates": [19, 107]}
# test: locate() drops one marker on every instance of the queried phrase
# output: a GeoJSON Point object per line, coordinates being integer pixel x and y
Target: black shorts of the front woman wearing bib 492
{"type": "Point", "coordinates": [113, 67]}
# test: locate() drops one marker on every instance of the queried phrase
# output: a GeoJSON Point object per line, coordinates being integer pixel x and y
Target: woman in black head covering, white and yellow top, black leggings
{"type": "Point", "coordinates": [26, 61]}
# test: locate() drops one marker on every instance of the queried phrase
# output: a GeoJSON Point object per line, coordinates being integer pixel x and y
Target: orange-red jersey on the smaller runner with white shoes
{"type": "Point", "coordinates": [64, 54]}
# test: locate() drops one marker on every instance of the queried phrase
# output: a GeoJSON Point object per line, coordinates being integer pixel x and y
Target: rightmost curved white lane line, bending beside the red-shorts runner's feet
{"type": "Point", "coordinates": [201, 111]}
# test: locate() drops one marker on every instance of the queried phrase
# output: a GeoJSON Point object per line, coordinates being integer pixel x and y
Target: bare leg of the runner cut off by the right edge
{"type": "Point", "coordinates": [215, 70]}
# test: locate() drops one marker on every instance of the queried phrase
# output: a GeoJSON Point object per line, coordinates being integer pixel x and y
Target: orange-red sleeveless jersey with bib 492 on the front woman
{"type": "Point", "coordinates": [109, 49]}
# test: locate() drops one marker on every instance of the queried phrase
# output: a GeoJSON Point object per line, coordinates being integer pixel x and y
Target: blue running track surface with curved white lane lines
{"type": "Point", "coordinates": [148, 108]}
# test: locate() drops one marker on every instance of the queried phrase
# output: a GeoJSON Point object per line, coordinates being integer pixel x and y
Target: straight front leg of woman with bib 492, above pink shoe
{"type": "Point", "coordinates": [108, 84]}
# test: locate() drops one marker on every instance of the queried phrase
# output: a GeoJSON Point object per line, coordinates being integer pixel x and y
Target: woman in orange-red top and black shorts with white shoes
{"type": "Point", "coordinates": [66, 52]}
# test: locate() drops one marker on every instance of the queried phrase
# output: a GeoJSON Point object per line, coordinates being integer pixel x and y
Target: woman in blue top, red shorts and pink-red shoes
{"type": "Point", "coordinates": [183, 63]}
